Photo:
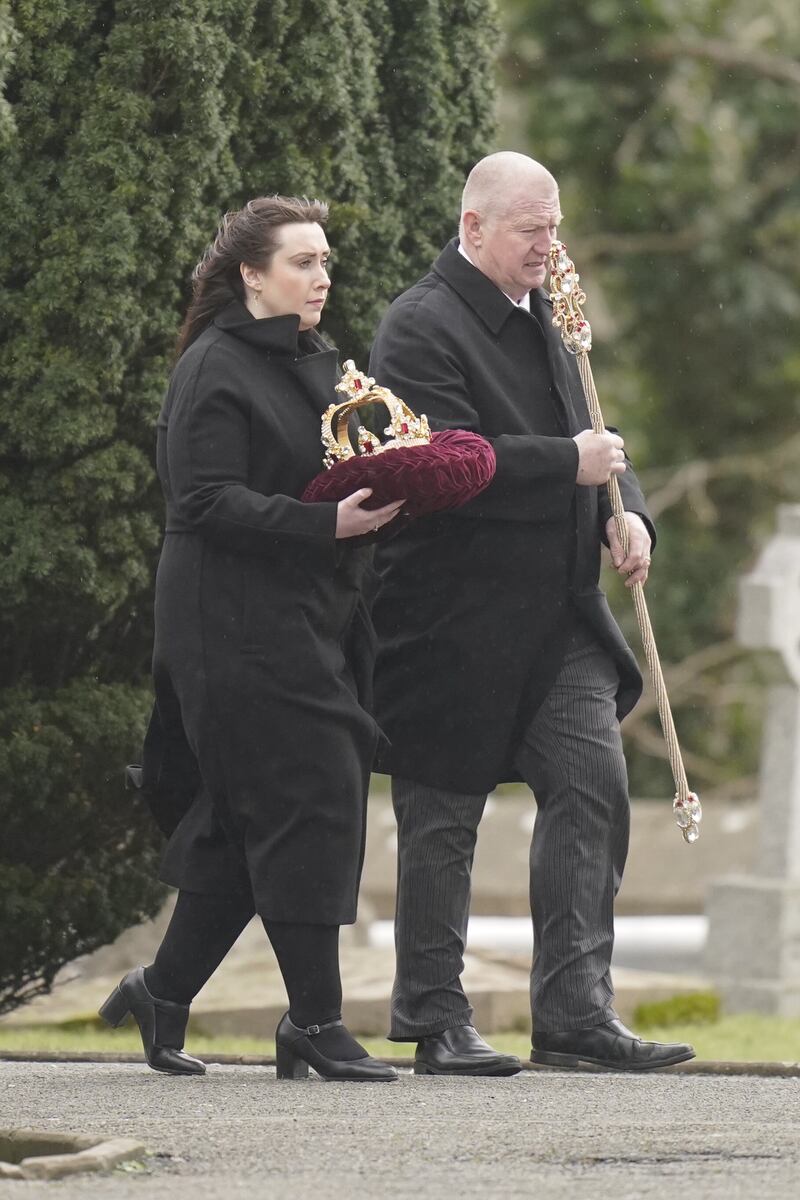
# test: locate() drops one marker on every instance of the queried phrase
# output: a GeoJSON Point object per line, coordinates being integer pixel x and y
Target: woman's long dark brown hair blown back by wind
{"type": "Point", "coordinates": [249, 236]}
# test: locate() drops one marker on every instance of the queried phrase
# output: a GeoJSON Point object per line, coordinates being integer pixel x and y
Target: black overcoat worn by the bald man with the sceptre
{"type": "Point", "coordinates": [476, 604]}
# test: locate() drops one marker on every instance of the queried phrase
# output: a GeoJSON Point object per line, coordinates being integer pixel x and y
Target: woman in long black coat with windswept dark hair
{"type": "Point", "coordinates": [260, 754]}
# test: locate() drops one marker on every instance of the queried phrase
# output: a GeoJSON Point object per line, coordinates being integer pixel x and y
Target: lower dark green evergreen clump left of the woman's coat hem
{"type": "Point", "coordinates": [77, 851]}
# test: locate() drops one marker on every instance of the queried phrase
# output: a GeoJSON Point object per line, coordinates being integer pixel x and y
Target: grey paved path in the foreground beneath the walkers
{"type": "Point", "coordinates": [239, 1132]}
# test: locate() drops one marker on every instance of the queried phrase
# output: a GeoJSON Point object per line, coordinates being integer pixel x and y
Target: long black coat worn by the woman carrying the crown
{"type": "Point", "coordinates": [264, 646]}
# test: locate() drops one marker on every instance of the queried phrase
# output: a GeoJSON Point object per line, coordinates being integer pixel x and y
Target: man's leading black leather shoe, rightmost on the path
{"type": "Point", "coordinates": [611, 1046]}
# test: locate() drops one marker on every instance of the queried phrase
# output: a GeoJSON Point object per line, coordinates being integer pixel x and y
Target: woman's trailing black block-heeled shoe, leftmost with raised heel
{"type": "Point", "coordinates": [163, 1025]}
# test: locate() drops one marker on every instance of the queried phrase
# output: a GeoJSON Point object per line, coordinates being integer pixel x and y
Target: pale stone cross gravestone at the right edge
{"type": "Point", "coordinates": [754, 947]}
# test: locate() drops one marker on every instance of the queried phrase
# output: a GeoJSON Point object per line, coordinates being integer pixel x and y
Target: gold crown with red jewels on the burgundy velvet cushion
{"type": "Point", "coordinates": [404, 430]}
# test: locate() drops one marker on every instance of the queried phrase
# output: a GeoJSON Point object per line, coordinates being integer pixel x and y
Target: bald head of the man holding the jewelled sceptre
{"type": "Point", "coordinates": [509, 218]}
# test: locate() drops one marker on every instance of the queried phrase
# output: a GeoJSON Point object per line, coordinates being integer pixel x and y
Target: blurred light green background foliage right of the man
{"type": "Point", "coordinates": [672, 128]}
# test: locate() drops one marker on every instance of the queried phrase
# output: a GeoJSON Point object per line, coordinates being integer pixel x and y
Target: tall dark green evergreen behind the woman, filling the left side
{"type": "Point", "coordinates": [127, 130]}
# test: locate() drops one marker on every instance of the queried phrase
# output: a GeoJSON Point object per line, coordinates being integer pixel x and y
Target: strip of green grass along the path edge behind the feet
{"type": "Point", "coordinates": [733, 1039]}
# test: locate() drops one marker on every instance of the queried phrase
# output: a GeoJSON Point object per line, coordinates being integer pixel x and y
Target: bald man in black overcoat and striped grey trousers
{"type": "Point", "coordinates": [500, 658]}
